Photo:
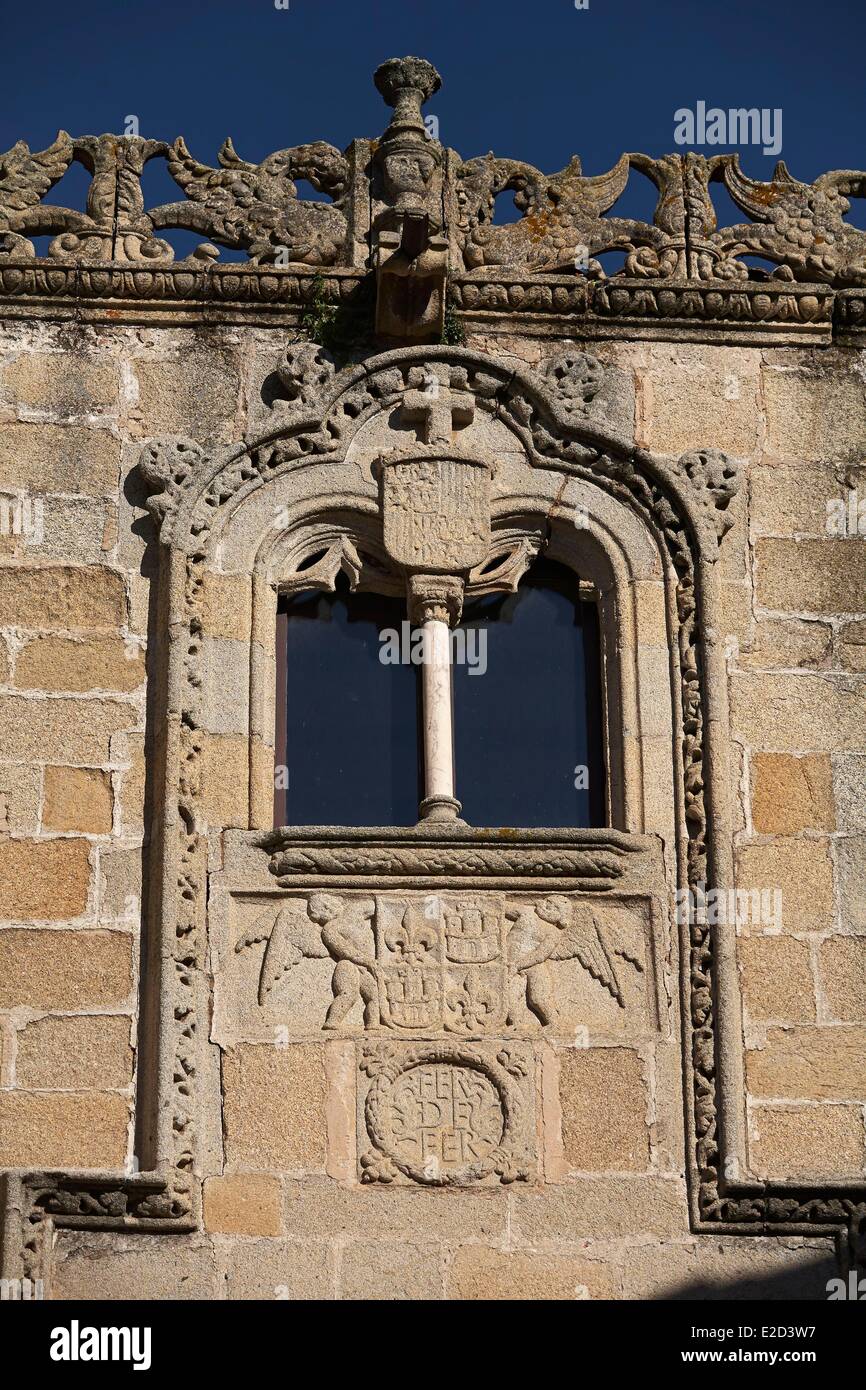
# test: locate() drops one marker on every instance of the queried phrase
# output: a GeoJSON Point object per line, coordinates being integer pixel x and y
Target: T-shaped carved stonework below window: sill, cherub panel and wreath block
{"type": "Point", "coordinates": [448, 964]}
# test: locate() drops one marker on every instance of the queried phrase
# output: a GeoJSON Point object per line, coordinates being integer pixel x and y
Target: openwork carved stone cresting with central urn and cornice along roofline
{"type": "Point", "coordinates": [418, 215]}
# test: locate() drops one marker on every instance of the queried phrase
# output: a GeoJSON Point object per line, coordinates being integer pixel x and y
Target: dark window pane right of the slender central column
{"type": "Point", "coordinates": [529, 733]}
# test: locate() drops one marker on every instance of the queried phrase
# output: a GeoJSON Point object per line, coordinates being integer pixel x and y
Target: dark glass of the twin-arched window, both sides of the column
{"type": "Point", "coordinates": [529, 710]}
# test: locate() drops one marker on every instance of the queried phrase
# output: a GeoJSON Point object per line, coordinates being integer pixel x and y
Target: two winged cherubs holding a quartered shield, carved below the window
{"type": "Point", "coordinates": [462, 965]}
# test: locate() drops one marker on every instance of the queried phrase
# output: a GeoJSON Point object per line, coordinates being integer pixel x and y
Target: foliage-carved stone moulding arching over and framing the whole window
{"type": "Point", "coordinates": [683, 509]}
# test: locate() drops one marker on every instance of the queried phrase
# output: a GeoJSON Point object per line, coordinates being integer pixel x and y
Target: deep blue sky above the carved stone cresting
{"type": "Point", "coordinates": [533, 80]}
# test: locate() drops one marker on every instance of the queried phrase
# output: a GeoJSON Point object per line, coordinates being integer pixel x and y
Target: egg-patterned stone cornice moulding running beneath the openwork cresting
{"type": "Point", "coordinates": [559, 306]}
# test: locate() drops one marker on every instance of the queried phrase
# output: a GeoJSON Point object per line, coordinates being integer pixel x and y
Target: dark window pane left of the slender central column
{"type": "Point", "coordinates": [348, 728]}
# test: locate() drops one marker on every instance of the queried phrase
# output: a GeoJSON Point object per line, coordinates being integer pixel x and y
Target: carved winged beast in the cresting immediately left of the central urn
{"type": "Point", "coordinates": [256, 206]}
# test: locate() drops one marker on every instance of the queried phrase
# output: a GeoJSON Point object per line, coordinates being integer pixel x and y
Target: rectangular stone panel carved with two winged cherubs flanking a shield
{"type": "Point", "coordinates": [430, 964]}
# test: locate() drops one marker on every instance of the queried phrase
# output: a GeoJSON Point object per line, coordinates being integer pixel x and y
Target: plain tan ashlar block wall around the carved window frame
{"type": "Point", "coordinates": [284, 1214]}
